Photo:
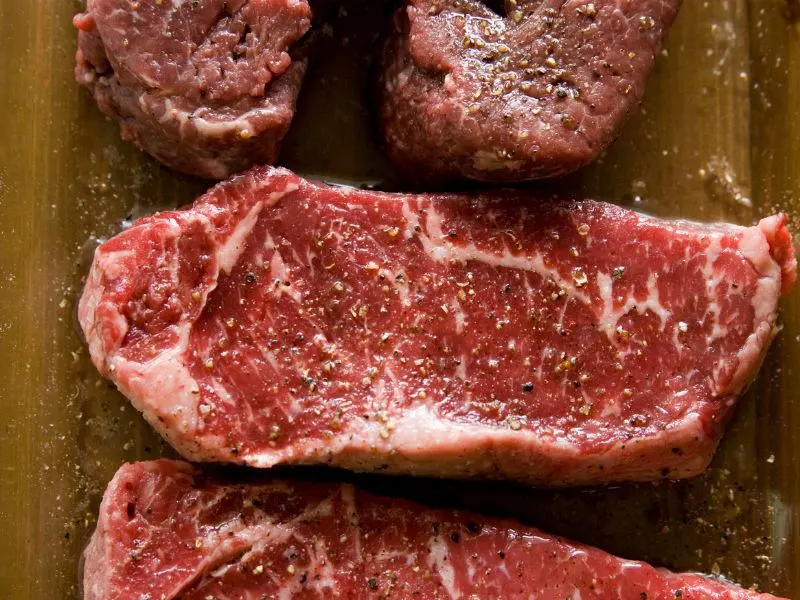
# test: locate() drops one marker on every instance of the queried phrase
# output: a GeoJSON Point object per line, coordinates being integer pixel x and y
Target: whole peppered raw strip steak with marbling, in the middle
{"type": "Point", "coordinates": [499, 335]}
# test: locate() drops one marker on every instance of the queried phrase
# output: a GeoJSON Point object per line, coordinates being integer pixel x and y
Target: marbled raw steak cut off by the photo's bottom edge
{"type": "Point", "coordinates": [167, 531]}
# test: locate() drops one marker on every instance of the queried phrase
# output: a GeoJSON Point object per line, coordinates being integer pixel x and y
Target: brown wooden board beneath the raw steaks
{"type": "Point", "coordinates": [717, 138]}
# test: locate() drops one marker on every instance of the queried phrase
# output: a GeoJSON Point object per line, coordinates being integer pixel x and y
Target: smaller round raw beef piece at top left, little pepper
{"type": "Point", "coordinates": [208, 88]}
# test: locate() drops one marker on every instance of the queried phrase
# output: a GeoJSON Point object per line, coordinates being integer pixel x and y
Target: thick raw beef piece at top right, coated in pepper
{"type": "Point", "coordinates": [536, 92]}
